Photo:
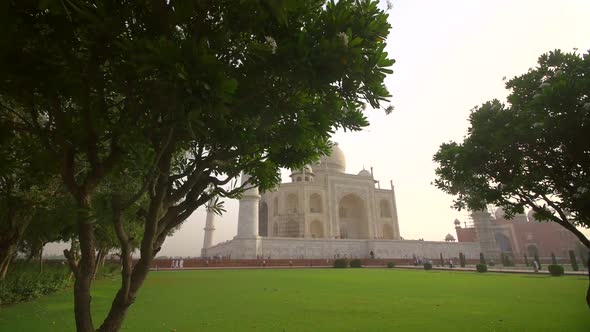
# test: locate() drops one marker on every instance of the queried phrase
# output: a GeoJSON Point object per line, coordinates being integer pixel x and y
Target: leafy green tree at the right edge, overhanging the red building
{"type": "Point", "coordinates": [531, 152]}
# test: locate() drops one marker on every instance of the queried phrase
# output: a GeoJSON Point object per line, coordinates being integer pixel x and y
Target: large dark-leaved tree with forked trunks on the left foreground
{"type": "Point", "coordinates": [178, 98]}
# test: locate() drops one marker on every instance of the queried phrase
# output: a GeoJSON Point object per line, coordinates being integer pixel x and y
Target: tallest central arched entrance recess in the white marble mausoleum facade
{"type": "Point", "coordinates": [353, 218]}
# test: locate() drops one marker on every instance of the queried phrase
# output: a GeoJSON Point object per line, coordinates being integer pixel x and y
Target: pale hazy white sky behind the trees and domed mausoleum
{"type": "Point", "coordinates": [450, 56]}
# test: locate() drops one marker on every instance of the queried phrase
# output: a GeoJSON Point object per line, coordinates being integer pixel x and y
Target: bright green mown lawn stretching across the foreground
{"type": "Point", "coordinates": [328, 300]}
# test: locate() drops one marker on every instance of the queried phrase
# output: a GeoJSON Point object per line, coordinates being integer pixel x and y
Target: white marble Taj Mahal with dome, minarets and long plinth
{"type": "Point", "coordinates": [325, 212]}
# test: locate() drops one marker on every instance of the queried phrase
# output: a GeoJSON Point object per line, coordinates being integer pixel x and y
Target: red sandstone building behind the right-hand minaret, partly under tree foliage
{"type": "Point", "coordinates": [524, 235]}
